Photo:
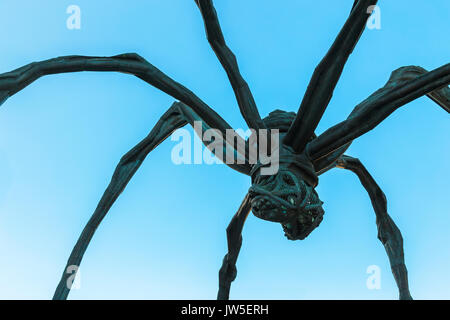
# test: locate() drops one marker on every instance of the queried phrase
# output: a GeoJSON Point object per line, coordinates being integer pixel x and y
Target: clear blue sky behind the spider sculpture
{"type": "Point", "coordinates": [61, 138]}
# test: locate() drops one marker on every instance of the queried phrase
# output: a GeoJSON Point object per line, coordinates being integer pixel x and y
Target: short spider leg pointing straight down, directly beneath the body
{"type": "Point", "coordinates": [228, 271]}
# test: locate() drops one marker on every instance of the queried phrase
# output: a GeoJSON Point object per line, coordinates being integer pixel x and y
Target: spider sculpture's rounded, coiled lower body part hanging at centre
{"type": "Point", "coordinates": [287, 199]}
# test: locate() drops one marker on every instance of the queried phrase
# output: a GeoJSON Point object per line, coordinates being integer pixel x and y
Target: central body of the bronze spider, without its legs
{"type": "Point", "coordinates": [287, 197]}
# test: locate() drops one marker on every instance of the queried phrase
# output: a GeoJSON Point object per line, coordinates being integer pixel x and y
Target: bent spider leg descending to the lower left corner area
{"type": "Point", "coordinates": [176, 117]}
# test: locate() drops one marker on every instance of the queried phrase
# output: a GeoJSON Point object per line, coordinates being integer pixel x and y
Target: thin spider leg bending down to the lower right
{"type": "Point", "coordinates": [388, 233]}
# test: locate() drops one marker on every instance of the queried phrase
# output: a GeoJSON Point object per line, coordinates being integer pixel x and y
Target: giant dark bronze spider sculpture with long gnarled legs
{"type": "Point", "coordinates": [287, 197]}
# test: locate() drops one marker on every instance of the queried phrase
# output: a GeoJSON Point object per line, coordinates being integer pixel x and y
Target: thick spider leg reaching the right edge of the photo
{"type": "Point", "coordinates": [405, 85]}
